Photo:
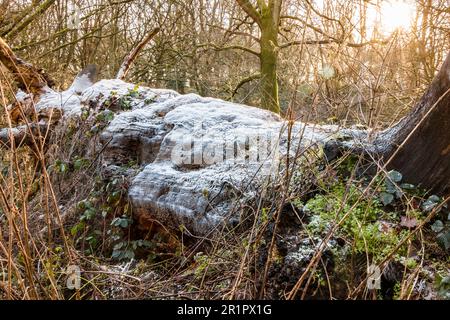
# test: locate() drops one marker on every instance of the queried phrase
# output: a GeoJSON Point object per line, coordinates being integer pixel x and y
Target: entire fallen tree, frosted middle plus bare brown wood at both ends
{"type": "Point", "coordinates": [418, 146]}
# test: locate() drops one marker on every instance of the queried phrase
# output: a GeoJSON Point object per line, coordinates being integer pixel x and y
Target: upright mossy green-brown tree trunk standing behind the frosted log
{"type": "Point", "coordinates": [268, 64]}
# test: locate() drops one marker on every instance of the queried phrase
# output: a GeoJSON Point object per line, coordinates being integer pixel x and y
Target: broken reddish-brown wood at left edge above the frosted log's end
{"type": "Point", "coordinates": [29, 78]}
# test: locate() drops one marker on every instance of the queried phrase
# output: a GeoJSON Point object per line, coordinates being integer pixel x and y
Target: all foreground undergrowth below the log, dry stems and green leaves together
{"type": "Point", "coordinates": [312, 233]}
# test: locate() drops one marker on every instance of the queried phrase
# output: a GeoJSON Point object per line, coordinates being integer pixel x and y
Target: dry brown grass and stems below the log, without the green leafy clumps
{"type": "Point", "coordinates": [40, 206]}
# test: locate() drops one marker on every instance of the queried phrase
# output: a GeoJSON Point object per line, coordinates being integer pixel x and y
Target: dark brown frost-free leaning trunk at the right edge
{"type": "Point", "coordinates": [421, 146]}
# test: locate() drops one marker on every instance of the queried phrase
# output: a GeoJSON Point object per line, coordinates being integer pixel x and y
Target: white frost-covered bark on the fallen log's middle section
{"type": "Point", "coordinates": [198, 156]}
